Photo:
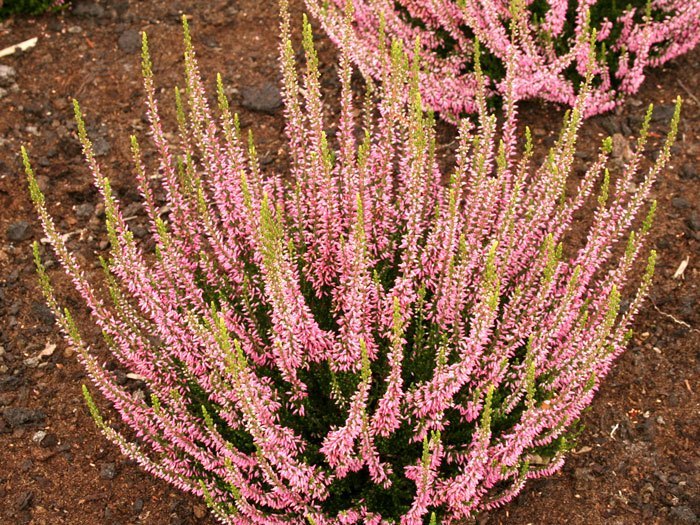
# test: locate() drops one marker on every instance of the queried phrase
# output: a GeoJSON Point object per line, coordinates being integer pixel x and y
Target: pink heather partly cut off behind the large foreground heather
{"type": "Point", "coordinates": [550, 46]}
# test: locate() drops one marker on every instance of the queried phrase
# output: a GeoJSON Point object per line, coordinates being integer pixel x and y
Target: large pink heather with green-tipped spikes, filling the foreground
{"type": "Point", "coordinates": [363, 338]}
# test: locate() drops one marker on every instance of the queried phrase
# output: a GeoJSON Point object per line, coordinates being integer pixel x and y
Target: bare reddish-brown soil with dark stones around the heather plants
{"type": "Point", "coordinates": [637, 460]}
